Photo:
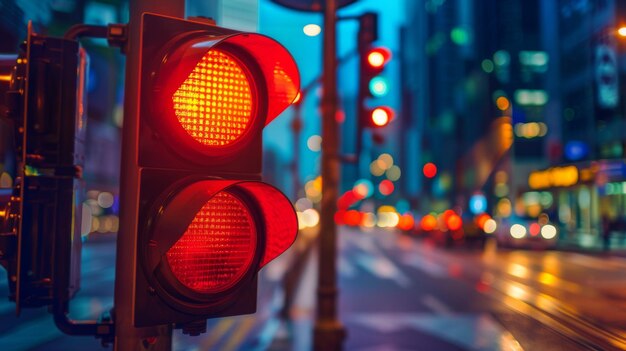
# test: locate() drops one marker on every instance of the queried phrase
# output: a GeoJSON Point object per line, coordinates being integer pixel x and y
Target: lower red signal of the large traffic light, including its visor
{"type": "Point", "coordinates": [211, 236]}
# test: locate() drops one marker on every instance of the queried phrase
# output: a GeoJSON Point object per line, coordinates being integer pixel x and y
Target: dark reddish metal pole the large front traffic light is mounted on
{"type": "Point", "coordinates": [127, 337]}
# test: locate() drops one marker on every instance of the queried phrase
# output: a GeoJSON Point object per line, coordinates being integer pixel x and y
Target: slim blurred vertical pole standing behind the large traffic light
{"type": "Point", "coordinates": [328, 332]}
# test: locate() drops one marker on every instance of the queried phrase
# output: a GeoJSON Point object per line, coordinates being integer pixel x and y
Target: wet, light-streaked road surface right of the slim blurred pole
{"type": "Point", "coordinates": [398, 293]}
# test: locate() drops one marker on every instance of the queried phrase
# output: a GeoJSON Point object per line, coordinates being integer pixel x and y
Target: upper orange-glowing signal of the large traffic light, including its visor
{"type": "Point", "coordinates": [216, 93]}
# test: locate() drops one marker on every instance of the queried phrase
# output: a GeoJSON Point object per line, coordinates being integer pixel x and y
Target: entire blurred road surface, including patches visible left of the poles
{"type": "Point", "coordinates": [396, 293]}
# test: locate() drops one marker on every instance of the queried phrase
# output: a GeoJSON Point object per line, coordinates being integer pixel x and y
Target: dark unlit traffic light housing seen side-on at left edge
{"type": "Point", "coordinates": [42, 127]}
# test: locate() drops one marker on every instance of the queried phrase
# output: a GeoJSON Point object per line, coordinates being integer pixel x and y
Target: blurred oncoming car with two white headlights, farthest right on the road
{"type": "Point", "coordinates": [527, 232]}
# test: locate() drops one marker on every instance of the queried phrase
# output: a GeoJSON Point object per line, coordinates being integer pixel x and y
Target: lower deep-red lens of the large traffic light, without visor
{"type": "Point", "coordinates": [217, 248]}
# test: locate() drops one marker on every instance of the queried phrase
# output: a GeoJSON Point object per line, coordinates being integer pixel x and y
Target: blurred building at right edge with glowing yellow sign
{"type": "Point", "coordinates": [586, 117]}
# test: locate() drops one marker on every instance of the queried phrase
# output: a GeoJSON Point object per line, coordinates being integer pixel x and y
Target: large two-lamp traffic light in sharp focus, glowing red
{"type": "Point", "coordinates": [204, 222]}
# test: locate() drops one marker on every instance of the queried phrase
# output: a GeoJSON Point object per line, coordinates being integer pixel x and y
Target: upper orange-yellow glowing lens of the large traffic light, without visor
{"type": "Point", "coordinates": [214, 103]}
